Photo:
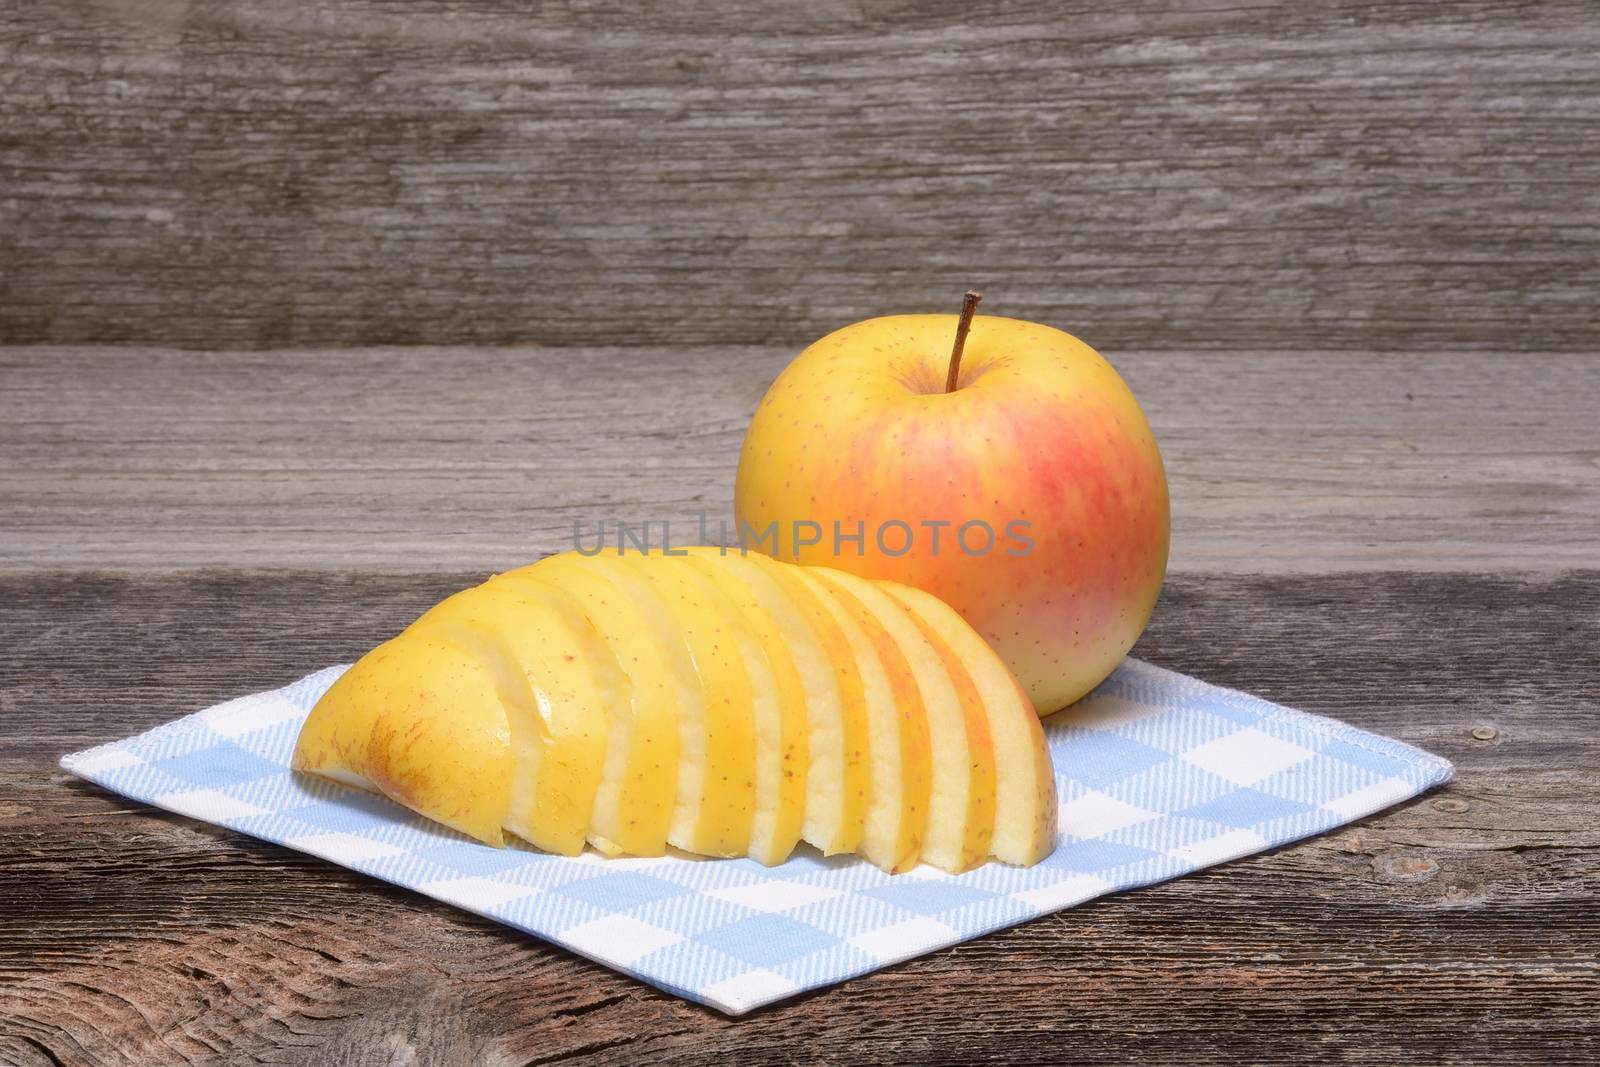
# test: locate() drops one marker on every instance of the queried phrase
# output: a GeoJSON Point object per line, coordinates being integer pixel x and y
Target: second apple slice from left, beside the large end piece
{"type": "Point", "coordinates": [558, 708]}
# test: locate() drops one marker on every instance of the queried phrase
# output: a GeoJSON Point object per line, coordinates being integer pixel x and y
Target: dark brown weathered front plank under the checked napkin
{"type": "Point", "coordinates": [1457, 929]}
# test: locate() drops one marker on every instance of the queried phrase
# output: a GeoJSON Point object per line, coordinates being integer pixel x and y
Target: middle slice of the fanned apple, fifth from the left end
{"type": "Point", "coordinates": [778, 700]}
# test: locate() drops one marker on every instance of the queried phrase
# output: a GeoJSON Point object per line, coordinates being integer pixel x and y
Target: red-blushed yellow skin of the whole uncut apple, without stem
{"type": "Point", "coordinates": [1039, 431]}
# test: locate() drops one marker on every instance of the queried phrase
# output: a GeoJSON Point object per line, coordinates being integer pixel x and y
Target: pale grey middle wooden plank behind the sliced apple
{"type": "Point", "coordinates": [487, 458]}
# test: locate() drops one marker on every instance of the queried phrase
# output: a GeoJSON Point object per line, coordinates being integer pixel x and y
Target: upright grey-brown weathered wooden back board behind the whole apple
{"type": "Point", "coordinates": [1159, 175]}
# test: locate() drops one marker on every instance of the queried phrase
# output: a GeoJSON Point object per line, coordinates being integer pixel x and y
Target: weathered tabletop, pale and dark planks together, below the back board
{"type": "Point", "coordinates": [1401, 545]}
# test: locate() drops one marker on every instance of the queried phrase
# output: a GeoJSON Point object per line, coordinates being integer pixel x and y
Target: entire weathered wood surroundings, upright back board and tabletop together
{"type": "Point", "coordinates": [1345, 252]}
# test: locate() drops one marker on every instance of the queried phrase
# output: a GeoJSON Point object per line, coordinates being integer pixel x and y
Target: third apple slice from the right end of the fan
{"type": "Point", "coordinates": [898, 730]}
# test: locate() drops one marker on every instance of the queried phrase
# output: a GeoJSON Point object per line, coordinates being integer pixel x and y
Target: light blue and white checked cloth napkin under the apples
{"type": "Point", "coordinates": [1159, 775]}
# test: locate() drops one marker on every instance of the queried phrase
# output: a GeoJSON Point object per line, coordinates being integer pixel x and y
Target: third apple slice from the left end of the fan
{"type": "Point", "coordinates": [634, 804]}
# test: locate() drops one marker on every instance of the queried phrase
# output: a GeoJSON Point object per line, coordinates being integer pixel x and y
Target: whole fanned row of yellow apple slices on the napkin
{"type": "Point", "coordinates": [719, 705]}
